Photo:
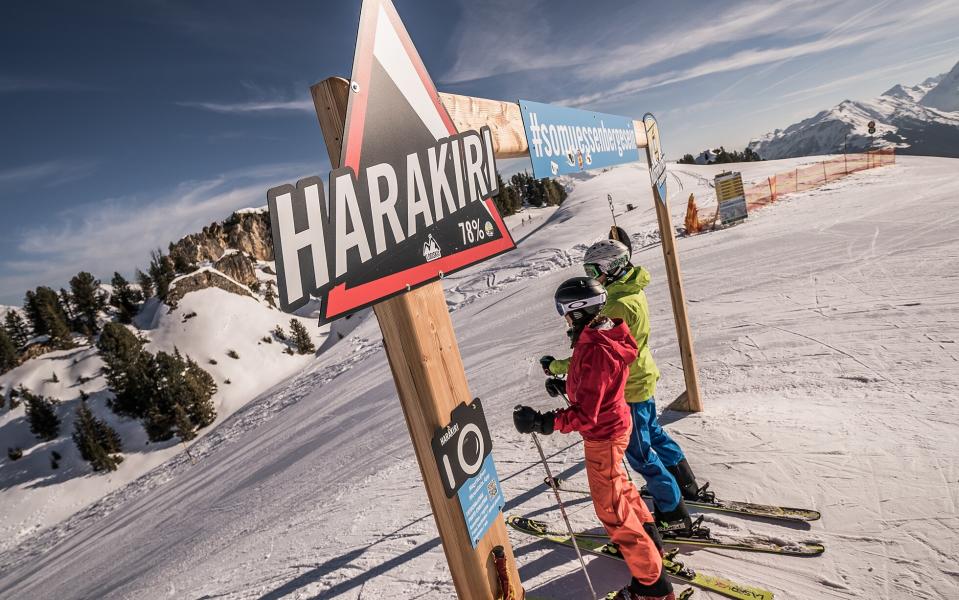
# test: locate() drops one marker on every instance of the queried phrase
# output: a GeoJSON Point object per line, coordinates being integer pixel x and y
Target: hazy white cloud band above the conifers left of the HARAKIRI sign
{"type": "Point", "coordinates": [118, 234]}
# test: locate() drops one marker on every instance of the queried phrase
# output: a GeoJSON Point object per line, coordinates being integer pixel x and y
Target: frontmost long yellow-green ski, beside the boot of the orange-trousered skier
{"type": "Point", "coordinates": [676, 569]}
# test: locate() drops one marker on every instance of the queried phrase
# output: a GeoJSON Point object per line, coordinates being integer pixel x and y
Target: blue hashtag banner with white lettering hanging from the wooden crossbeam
{"type": "Point", "coordinates": [568, 140]}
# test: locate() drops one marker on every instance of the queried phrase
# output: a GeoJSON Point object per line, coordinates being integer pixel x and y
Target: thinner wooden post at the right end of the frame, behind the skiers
{"type": "Point", "coordinates": [690, 400]}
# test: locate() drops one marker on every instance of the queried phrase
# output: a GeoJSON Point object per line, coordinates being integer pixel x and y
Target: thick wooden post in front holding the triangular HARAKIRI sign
{"type": "Point", "coordinates": [431, 381]}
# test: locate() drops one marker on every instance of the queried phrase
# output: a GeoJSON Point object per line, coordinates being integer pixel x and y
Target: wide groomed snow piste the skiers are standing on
{"type": "Point", "coordinates": [826, 335]}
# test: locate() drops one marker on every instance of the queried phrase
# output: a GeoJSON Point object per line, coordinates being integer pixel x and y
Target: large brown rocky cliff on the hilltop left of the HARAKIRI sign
{"type": "Point", "coordinates": [247, 231]}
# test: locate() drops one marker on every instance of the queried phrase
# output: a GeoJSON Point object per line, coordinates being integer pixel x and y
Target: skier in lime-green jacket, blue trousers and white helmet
{"type": "Point", "coordinates": [651, 451]}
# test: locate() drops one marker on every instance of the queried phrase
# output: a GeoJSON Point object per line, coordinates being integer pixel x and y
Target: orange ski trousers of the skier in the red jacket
{"type": "Point", "coordinates": [620, 508]}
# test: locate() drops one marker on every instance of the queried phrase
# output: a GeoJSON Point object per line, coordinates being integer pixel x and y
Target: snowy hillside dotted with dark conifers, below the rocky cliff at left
{"type": "Point", "coordinates": [205, 326]}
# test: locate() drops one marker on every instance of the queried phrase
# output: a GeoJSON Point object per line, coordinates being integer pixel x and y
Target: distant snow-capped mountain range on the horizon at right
{"type": "Point", "coordinates": [922, 119]}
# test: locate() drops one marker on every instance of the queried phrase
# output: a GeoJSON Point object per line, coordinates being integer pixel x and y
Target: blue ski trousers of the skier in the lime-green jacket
{"type": "Point", "coordinates": [650, 451]}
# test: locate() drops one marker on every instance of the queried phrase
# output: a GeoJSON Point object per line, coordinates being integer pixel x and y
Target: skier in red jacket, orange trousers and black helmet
{"type": "Point", "coordinates": [602, 351]}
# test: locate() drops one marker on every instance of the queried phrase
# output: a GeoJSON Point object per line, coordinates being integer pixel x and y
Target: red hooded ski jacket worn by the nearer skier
{"type": "Point", "coordinates": [595, 382]}
